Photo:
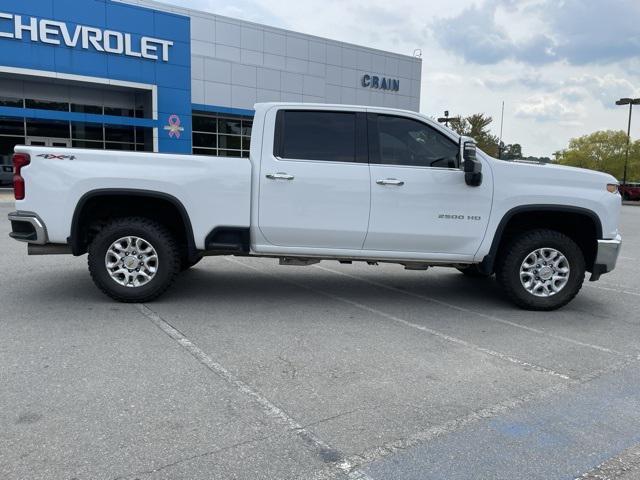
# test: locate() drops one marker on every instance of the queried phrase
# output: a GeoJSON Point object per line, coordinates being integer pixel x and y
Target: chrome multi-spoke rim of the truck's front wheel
{"type": "Point", "coordinates": [545, 272]}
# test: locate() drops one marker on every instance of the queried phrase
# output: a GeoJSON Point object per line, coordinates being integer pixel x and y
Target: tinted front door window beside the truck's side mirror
{"type": "Point", "coordinates": [403, 141]}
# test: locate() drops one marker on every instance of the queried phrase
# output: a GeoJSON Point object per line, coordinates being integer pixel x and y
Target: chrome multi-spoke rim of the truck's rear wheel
{"type": "Point", "coordinates": [131, 261]}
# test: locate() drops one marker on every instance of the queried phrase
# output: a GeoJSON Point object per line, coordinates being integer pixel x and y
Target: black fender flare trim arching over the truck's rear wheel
{"type": "Point", "coordinates": [74, 238]}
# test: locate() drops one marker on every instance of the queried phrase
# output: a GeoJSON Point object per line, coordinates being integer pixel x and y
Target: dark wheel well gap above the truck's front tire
{"type": "Point", "coordinates": [581, 226]}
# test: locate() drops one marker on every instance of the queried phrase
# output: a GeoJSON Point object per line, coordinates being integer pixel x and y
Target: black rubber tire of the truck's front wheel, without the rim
{"type": "Point", "coordinates": [515, 253]}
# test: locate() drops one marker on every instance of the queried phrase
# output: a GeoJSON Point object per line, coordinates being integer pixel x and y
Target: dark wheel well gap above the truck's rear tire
{"type": "Point", "coordinates": [96, 209]}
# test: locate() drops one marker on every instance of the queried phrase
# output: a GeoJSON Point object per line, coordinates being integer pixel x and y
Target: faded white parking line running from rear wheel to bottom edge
{"type": "Point", "coordinates": [269, 408]}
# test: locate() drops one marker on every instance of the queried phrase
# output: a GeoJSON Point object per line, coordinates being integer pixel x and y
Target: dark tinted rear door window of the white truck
{"type": "Point", "coordinates": [329, 136]}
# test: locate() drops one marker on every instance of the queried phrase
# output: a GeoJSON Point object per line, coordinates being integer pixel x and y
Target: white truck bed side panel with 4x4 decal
{"type": "Point", "coordinates": [214, 191]}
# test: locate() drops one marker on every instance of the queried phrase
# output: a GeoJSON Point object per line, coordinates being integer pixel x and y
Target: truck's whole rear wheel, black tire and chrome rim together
{"type": "Point", "coordinates": [133, 259]}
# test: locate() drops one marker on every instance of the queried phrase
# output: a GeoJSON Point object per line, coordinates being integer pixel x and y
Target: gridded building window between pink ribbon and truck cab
{"type": "Point", "coordinates": [221, 135]}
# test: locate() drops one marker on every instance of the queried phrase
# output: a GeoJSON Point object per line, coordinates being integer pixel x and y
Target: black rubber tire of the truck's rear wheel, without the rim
{"type": "Point", "coordinates": [156, 235]}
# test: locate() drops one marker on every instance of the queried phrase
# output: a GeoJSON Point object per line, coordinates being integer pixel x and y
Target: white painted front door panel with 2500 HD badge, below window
{"type": "Point", "coordinates": [427, 193]}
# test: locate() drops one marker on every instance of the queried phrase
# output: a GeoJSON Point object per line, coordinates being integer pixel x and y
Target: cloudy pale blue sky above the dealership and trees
{"type": "Point", "coordinates": [559, 65]}
